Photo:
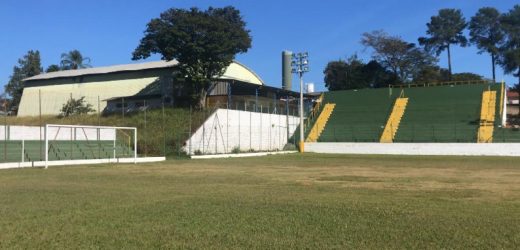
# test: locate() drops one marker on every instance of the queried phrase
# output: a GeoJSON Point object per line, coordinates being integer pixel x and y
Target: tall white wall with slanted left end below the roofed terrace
{"type": "Point", "coordinates": [228, 129]}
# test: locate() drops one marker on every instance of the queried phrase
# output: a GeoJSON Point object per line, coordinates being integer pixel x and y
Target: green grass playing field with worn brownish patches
{"type": "Point", "coordinates": [291, 201]}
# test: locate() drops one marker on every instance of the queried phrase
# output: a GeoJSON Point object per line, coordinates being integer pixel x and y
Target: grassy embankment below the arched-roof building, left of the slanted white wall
{"type": "Point", "coordinates": [152, 137]}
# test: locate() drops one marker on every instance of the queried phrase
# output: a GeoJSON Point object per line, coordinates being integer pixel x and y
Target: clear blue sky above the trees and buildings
{"type": "Point", "coordinates": [108, 31]}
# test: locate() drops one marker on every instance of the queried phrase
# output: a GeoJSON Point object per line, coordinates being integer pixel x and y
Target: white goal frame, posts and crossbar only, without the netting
{"type": "Point", "coordinates": [47, 135]}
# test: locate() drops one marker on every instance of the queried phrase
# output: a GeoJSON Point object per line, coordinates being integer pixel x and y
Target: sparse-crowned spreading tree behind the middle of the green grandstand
{"type": "Point", "coordinates": [400, 57]}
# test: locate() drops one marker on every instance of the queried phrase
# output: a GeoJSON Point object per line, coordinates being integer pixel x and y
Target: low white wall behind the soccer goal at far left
{"type": "Point", "coordinates": [16, 133]}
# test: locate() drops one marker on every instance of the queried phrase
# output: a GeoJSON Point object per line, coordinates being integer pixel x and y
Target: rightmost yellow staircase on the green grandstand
{"type": "Point", "coordinates": [487, 116]}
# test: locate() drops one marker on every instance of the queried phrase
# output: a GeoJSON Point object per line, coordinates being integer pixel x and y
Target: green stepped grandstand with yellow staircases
{"type": "Point", "coordinates": [445, 113]}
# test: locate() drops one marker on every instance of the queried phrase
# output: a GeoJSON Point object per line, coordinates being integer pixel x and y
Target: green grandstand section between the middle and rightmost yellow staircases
{"type": "Point", "coordinates": [443, 113]}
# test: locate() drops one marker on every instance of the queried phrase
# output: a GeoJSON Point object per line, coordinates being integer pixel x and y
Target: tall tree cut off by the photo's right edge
{"type": "Point", "coordinates": [510, 51]}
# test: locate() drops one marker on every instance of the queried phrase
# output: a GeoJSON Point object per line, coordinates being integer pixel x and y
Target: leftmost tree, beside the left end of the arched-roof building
{"type": "Point", "coordinates": [29, 65]}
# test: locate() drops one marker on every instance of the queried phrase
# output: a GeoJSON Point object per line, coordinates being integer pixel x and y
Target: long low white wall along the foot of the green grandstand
{"type": "Point", "coordinates": [475, 149]}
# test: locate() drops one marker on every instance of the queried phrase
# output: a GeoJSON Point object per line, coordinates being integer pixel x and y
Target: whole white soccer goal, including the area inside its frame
{"type": "Point", "coordinates": [84, 142]}
